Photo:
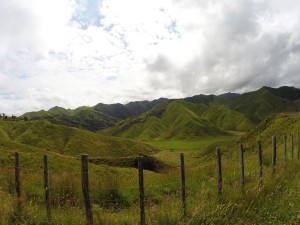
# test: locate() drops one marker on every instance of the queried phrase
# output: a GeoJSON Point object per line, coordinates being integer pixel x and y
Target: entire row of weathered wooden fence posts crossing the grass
{"type": "Point", "coordinates": [141, 198]}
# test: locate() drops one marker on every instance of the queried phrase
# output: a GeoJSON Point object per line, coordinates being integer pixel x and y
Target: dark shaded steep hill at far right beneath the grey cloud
{"type": "Point", "coordinates": [258, 105]}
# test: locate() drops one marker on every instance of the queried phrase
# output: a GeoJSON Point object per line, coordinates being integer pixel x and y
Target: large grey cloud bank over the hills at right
{"type": "Point", "coordinates": [244, 47]}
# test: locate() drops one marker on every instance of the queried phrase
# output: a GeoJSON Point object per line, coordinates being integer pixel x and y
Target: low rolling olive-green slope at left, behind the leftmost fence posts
{"type": "Point", "coordinates": [69, 141]}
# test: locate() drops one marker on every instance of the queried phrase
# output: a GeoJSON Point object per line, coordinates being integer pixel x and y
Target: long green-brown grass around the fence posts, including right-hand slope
{"type": "Point", "coordinates": [114, 191]}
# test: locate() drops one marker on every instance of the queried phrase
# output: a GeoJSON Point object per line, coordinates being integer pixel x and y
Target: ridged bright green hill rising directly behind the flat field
{"type": "Point", "coordinates": [181, 120]}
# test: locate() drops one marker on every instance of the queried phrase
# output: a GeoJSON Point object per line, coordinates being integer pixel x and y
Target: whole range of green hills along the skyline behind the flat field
{"type": "Point", "coordinates": [187, 118]}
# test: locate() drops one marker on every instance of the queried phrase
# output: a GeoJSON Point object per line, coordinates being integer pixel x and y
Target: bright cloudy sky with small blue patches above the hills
{"type": "Point", "coordinates": [71, 53]}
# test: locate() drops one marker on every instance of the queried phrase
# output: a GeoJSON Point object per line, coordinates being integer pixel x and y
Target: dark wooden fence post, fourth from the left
{"type": "Point", "coordinates": [141, 190]}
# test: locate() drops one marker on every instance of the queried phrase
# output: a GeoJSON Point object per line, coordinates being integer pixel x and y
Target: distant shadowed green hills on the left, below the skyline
{"type": "Point", "coordinates": [93, 118]}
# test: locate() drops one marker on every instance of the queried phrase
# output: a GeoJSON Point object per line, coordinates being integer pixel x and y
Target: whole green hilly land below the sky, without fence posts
{"type": "Point", "coordinates": [159, 131]}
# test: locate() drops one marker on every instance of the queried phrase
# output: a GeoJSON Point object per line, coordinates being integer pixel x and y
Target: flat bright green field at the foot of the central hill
{"type": "Point", "coordinates": [190, 145]}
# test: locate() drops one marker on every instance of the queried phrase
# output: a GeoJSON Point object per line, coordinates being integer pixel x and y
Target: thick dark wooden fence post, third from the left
{"type": "Point", "coordinates": [85, 189]}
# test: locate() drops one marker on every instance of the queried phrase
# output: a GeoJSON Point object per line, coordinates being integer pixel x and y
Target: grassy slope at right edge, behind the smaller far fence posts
{"type": "Point", "coordinates": [279, 124]}
